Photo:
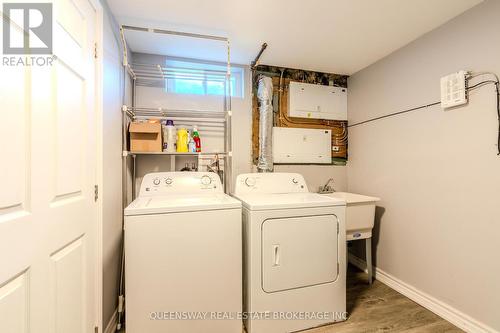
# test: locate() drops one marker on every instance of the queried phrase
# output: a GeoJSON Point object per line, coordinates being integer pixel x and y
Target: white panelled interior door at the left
{"type": "Point", "coordinates": [48, 217]}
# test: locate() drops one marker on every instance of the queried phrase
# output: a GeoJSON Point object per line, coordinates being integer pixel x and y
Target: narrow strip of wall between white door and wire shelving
{"type": "Point", "coordinates": [112, 165]}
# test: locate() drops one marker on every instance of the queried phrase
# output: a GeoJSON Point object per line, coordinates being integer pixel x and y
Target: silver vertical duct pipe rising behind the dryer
{"type": "Point", "coordinates": [264, 95]}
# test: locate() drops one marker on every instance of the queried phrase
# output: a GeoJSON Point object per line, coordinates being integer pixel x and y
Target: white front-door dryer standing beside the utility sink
{"type": "Point", "coordinates": [294, 268]}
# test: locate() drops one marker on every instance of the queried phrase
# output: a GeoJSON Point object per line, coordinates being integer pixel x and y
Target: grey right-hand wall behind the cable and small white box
{"type": "Point", "coordinates": [437, 172]}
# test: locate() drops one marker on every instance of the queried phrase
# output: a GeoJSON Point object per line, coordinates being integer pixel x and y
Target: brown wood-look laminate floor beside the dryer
{"type": "Point", "coordinates": [378, 308]}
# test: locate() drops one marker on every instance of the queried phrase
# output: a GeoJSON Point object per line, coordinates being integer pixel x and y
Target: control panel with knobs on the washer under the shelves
{"type": "Point", "coordinates": [161, 183]}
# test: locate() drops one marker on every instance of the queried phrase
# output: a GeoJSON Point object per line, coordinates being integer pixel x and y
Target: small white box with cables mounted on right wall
{"type": "Point", "coordinates": [454, 89]}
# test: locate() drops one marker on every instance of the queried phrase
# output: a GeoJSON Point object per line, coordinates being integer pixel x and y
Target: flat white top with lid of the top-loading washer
{"type": "Point", "coordinates": [180, 203]}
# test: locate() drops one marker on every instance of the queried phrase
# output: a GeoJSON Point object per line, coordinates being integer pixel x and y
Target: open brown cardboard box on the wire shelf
{"type": "Point", "coordinates": [145, 137]}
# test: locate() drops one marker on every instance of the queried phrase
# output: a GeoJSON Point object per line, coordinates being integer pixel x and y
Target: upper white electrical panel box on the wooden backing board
{"type": "Point", "coordinates": [317, 101]}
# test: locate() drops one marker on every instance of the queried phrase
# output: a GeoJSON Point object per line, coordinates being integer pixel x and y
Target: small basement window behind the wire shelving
{"type": "Point", "coordinates": [202, 78]}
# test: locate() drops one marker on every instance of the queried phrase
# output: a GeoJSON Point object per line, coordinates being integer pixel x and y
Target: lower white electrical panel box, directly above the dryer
{"type": "Point", "coordinates": [302, 145]}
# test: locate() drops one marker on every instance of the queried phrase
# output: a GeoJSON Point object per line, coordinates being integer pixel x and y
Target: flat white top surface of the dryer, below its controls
{"type": "Point", "coordinates": [256, 201]}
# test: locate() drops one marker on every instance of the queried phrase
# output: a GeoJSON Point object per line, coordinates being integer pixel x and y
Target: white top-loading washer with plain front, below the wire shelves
{"type": "Point", "coordinates": [183, 256]}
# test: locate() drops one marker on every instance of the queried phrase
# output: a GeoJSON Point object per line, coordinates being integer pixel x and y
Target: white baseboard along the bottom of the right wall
{"type": "Point", "coordinates": [445, 311]}
